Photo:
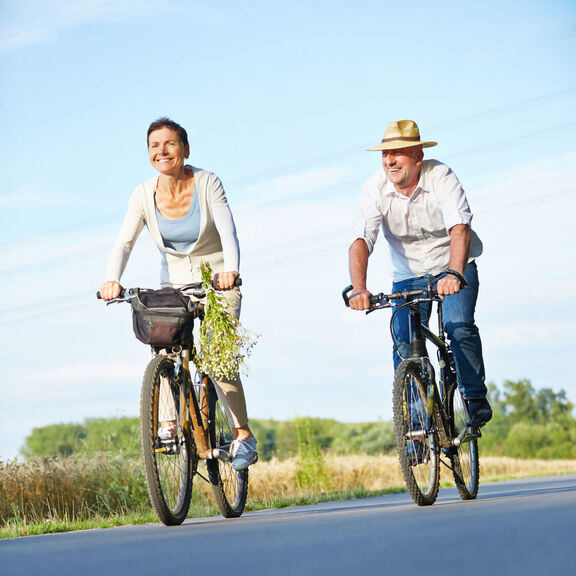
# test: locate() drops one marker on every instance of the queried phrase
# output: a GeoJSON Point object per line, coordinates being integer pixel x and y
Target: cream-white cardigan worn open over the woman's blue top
{"type": "Point", "coordinates": [217, 242]}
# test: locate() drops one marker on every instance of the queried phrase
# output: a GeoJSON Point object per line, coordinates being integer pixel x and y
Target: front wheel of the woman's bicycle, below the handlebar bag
{"type": "Point", "coordinates": [169, 467]}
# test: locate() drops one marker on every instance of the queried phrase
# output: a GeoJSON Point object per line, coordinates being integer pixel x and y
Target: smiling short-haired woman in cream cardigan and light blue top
{"type": "Point", "coordinates": [188, 217]}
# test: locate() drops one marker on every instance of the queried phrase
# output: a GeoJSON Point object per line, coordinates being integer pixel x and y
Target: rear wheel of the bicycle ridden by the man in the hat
{"type": "Point", "coordinates": [464, 458]}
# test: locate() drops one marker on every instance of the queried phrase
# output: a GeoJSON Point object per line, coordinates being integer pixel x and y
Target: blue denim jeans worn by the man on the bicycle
{"type": "Point", "coordinates": [460, 328]}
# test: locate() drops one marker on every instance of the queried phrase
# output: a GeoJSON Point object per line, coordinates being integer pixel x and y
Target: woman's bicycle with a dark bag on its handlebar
{"type": "Point", "coordinates": [182, 418]}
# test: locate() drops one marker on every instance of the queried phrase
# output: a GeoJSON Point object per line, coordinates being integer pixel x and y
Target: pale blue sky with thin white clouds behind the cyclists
{"type": "Point", "coordinates": [280, 100]}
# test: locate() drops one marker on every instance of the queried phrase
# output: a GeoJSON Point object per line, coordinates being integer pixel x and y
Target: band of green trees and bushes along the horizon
{"type": "Point", "coordinates": [527, 423]}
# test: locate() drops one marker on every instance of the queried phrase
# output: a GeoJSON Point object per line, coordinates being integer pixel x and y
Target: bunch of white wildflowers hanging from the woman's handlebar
{"type": "Point", "coordinates": [223, 343]}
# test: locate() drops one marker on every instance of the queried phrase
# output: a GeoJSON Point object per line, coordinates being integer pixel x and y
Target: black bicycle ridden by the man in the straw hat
{"type": "Point", "coordinates": [430, 416]}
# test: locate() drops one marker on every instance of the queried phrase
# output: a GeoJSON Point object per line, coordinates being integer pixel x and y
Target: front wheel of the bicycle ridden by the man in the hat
{"type": "Point", "coordinates": [417, 448]}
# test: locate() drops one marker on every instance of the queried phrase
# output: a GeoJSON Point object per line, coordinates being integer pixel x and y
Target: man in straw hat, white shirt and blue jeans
{"type": "Point", "coordinates": [425, 217]}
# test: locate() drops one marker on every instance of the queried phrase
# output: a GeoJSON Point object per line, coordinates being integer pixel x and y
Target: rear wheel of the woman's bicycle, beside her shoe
{"type": "Point", "coordinates": [229, 486]}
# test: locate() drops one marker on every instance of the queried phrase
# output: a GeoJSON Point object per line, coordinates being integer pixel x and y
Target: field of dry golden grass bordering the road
{"type": "Point", "coordinates": [70, 493]}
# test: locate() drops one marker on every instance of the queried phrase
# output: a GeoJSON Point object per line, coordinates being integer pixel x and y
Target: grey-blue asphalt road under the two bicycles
{"type": "Point", "coordinates": [519, 528]}
